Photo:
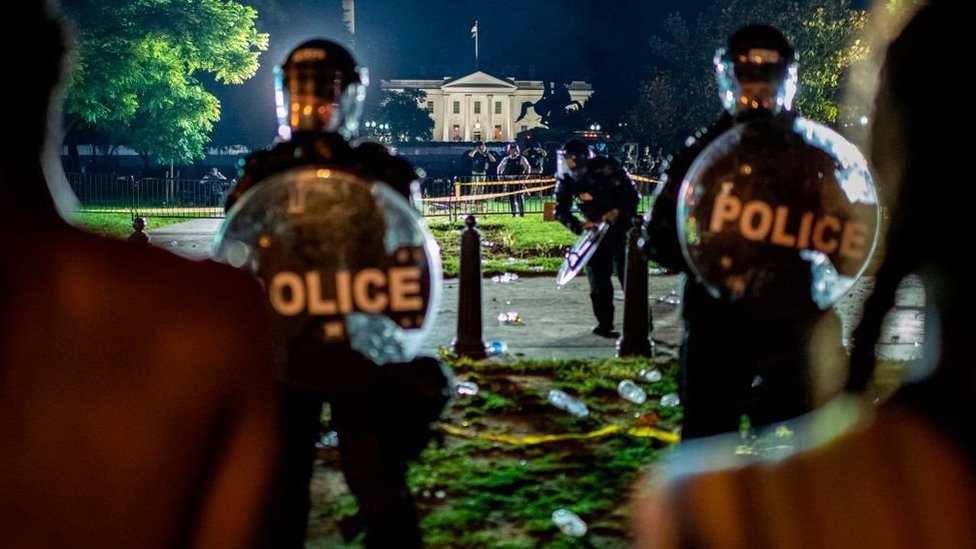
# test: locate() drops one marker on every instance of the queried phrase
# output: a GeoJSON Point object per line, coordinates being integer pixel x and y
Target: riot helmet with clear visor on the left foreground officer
{"type": "Point", "coordinates": [319, 89]}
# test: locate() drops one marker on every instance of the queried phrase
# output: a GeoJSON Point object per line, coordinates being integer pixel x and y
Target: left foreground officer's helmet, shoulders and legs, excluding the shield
{"type": "Point", "coordinates": [382, 414]}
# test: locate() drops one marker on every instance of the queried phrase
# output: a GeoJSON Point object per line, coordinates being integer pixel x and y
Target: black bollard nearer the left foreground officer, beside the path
{"type": "Point", "coordinates": [469, 342]}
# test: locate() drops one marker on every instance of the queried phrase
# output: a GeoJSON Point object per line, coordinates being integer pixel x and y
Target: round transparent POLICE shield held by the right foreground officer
{"type": "Point", "coordinates": [781, 213]}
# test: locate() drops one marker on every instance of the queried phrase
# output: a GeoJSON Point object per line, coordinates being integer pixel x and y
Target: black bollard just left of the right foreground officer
{"type": "Point", "coordinates": [633, 339]}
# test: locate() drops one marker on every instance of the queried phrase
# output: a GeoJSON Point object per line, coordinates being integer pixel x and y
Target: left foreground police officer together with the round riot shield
{"type": "Point", "coordinates": [352, 278]}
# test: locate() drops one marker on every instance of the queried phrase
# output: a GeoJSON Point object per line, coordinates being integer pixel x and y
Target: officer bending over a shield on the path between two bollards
{"type": "Point", "coordinates": [604, 192]}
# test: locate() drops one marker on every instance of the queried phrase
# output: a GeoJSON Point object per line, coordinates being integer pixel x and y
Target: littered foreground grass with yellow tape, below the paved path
{"type": "Point", "coordinates": [508, 458]}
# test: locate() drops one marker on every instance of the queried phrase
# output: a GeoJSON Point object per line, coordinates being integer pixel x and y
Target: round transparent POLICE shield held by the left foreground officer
{"type": "Point", "coordinates": [346, 264]}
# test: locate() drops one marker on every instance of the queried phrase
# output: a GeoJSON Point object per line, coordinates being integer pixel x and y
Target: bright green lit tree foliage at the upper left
{"type": "Point", "coordinates": [134, 77]}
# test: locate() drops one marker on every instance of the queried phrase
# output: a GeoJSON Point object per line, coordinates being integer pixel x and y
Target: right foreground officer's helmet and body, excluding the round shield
{"type": "Point", "coordinates": [735, 360]}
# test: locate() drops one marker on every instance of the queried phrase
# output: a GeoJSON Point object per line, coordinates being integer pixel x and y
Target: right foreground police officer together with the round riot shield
{"type": "Point", "coordinates": [773, 217]}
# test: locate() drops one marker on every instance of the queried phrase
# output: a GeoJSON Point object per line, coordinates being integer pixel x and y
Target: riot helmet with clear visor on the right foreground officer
{"type": "Point", "coordinates": [756, 71]}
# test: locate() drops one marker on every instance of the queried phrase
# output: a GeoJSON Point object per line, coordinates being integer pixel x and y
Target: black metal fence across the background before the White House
{"type": "Point", "coordinates": [204, 198]}
